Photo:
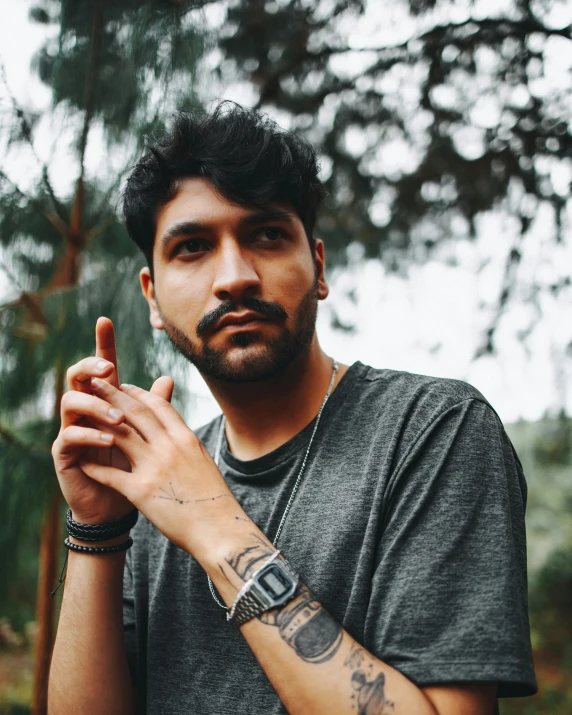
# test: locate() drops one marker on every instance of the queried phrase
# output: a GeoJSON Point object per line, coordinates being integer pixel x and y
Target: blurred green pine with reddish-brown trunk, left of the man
{"type": "Point", "coordinates": [114, 68]}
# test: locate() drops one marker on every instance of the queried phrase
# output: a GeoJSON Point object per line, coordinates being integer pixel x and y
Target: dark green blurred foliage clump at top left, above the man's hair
{"type": "Point", "coordinates": [125, 52]}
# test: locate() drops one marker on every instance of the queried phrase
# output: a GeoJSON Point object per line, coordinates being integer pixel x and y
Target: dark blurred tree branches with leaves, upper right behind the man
{"type": "Point", "coordinates": [475, 111]}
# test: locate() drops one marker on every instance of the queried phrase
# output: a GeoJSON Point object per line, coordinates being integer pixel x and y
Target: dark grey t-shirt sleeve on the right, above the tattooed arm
{"type": "Point", "coordinates": [449, 593]}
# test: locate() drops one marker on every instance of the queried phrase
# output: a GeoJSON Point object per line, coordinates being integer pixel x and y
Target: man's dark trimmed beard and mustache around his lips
{"type": "Point", "coordinates": [257, 361]}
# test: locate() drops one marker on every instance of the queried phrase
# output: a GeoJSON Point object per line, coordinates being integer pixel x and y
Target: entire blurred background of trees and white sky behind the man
{"type": "Point", "coordinates": [444, 134]}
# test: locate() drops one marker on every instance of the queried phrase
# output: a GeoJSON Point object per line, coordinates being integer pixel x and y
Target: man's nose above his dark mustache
{"type": "Point", "coordinates": [234, 276]}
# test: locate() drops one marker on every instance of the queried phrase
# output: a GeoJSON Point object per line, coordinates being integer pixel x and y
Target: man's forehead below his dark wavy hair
{"type": "Point", "coordinates": [198, 201]}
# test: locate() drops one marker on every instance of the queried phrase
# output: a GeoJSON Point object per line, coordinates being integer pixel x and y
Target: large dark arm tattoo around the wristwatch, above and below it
{"type": "Point", "coordinates": [302, 622]}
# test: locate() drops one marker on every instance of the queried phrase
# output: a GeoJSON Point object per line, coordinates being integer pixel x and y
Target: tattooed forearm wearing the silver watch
{"type": "Point", "coordinates": [314, 665]}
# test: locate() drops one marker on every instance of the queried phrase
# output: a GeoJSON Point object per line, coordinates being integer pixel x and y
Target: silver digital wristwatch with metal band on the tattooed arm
{"type": "Point", "coordinates": [273, 584]}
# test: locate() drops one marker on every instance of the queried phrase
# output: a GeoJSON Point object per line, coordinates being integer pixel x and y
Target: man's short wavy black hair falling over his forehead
{"type": "Point", "coordinates": [247, 157]}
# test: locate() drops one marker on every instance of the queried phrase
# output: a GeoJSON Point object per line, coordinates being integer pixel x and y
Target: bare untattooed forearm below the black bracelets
{"type": "Point", "coordinates": [89, 671]}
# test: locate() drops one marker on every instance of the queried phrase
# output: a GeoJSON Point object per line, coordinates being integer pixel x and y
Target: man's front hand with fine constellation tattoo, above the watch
{"type": "Point", "coordinates": [173, 480]}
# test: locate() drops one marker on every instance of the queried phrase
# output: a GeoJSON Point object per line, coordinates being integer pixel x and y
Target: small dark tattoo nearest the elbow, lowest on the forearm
{"type": "Point", "coordinates": [368, 684]}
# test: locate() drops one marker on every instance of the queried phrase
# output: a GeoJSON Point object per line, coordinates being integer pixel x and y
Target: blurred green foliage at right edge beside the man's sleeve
{"type": "Point", "coordinates": [549, 543]}
